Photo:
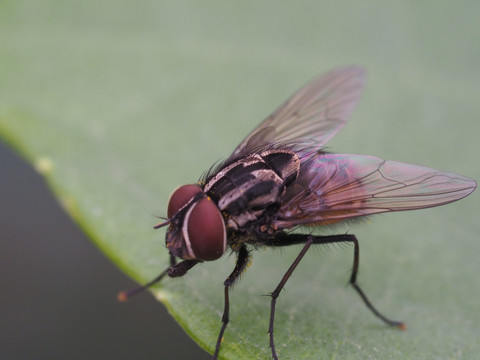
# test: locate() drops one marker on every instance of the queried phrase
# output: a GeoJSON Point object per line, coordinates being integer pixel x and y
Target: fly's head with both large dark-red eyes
{"type": "Point", "coordinates": [196, 228]}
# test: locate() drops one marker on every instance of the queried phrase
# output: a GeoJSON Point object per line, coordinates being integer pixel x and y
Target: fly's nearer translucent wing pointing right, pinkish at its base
{"type": "Point", "coordinates": [335, 187]}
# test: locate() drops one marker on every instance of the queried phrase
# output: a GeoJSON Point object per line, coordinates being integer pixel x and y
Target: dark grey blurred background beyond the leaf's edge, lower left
{"type": "Point", "coordinates": [58, 292]}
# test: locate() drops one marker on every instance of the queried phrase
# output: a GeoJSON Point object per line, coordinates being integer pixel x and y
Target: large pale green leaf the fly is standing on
{"type": "Point", "coordinates": [117, 103]}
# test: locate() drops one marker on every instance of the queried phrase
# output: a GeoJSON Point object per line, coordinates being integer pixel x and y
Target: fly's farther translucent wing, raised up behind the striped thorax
{"type": "Point", "coordinates": [311, 116]}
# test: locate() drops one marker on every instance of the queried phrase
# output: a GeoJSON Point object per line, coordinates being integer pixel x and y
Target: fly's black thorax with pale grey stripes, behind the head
{"type": "Point", "coordinates": [246, 188]}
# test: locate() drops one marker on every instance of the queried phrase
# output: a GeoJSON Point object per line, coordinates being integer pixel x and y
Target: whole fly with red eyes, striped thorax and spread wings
{"type": "Point", "coordinates": [280, 178]}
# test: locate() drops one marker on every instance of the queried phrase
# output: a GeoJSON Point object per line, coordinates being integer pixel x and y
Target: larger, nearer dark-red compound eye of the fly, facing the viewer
{"type": "Point", "coordinates": [206, 231]}
